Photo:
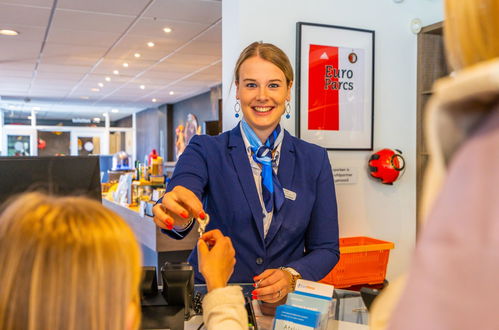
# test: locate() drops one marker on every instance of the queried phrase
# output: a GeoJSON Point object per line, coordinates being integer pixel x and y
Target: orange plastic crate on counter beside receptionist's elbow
{"type": "Point", "coordinates": [363, 260]}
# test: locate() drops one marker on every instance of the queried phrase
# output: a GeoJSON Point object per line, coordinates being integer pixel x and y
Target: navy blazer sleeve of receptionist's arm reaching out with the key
{"type": "Point", "coordinates": [190, 172]}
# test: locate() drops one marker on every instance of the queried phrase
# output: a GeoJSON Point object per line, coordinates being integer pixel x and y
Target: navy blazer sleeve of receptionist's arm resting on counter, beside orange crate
{"type": "Point", "coordinates": [321, 237]}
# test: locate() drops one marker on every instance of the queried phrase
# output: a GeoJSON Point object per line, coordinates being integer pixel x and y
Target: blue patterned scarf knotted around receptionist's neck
{"type": "Point", "coordinates": [273, 195]}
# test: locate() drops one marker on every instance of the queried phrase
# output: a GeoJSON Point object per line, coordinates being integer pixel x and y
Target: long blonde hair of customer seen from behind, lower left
{"type": "Point", "coordinates": [66, 263]}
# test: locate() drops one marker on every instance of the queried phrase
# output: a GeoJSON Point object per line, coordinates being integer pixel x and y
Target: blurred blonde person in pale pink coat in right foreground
{"type": "Point", "coordinates": [452, 282]}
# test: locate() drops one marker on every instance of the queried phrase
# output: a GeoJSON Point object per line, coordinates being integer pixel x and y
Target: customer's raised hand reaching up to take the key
{"type": "Point", "coordinates": [216, 259]}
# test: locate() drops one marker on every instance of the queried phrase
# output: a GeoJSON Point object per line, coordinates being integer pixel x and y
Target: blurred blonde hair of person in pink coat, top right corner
{"type": "Point", "coordinates": [471, 31]}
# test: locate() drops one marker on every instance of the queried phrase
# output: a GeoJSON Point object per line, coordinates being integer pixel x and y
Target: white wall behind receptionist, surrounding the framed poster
{"type": "Point", "coordinates": [368, 207]}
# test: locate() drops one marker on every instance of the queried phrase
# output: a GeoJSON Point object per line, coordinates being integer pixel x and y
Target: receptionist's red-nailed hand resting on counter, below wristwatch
{"type": "Point", "coordinates": [272, 285]}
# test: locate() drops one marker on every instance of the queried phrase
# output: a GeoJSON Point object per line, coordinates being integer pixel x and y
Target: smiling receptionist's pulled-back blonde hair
{"type": "Point", "coordinates": [268, 52]}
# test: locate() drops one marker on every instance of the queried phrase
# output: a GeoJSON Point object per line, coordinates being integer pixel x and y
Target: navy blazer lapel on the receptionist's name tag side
{"type": "Point", "coordinates": [285, 174]}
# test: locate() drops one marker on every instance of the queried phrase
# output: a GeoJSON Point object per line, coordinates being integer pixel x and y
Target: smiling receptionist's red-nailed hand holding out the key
{"type": "Point", "coordinates": [177, 207]}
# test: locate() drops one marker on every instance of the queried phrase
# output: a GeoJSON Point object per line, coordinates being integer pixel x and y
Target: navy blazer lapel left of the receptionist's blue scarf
{"type": "Point", "coordinates": [242, 166]}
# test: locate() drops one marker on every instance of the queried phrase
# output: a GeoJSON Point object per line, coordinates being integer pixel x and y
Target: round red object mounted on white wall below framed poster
{"type": "Point", "coordinates": [386, 165]}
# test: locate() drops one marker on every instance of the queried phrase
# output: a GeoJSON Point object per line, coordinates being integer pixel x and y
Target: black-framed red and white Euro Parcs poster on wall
{"type": "Point", "coordinates": [335, 86]}
